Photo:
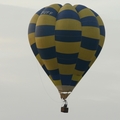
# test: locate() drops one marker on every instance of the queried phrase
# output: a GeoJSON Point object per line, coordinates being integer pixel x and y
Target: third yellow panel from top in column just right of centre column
{"type": "Point", "coordinates": [86, 54]}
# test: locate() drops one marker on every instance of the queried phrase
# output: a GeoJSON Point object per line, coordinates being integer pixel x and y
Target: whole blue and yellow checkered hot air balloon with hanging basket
{"type": "Point", "coordinates": [66, 40]}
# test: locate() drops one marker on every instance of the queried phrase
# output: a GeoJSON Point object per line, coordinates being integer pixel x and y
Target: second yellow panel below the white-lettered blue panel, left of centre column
{"type": "Point", "coordinates": [45, 42]}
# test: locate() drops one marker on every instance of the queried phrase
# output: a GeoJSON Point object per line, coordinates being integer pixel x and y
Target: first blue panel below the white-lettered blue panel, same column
{"type": "Point", "coordinates": [44, 30]}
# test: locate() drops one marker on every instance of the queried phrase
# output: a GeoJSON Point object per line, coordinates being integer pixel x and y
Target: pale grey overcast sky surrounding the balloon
{"type": "Point", "coordinates": [26, 93]}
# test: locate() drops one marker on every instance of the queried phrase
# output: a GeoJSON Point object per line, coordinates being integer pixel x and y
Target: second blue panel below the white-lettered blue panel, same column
{"type": "Point", "coordinates": [47, 53]}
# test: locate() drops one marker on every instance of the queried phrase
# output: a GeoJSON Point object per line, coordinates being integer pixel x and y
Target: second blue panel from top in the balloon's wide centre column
{"type": "Point", "coordinates": [67, 35]}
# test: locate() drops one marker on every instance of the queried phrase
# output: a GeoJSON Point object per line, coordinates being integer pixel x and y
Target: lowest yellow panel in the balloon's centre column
{"type": "Point", "coordinates": [66, 69]}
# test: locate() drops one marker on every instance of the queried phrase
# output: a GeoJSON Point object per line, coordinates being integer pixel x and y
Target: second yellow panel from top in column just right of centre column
{"type": "Point", "coordinates": [91, 32]}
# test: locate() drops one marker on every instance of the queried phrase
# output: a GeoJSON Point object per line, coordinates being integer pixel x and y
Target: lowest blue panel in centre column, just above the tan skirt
{"type": "Point", "coordinates": [65, 79]}
